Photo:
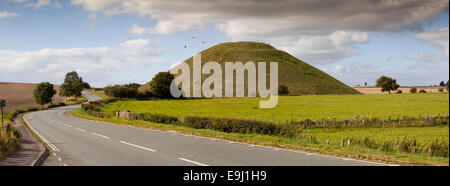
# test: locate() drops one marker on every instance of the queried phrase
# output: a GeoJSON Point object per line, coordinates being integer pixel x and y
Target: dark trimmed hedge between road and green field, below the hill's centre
{"type": "Point", "coordinates": [240, 126]}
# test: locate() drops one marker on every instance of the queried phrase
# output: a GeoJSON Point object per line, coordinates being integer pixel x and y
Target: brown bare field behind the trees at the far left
{"type": "Point", "coordinates": [20, 95]}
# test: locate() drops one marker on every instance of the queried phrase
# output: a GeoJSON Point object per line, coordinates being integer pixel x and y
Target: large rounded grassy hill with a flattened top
{"type": "Point", "coordinates": [300, 77]}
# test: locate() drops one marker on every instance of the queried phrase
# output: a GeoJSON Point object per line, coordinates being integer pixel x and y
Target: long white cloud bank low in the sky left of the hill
{"type": "Point", "coordinates": [100, 66]}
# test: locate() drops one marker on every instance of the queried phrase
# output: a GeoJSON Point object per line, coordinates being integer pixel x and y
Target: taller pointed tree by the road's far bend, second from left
{"type": "Point", "coordinates": [72, 86]}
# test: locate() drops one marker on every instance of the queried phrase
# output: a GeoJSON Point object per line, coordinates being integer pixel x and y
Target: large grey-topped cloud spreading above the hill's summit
{"type": "Point", "coordinates": [309, 28]}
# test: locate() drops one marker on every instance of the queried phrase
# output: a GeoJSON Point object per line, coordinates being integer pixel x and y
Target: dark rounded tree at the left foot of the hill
{"type": "Point", "coordinates": [160, 85]}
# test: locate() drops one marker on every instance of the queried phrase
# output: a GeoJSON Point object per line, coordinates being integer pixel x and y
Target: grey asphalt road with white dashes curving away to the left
{"type": "Point", "coordinates": [75, 141]}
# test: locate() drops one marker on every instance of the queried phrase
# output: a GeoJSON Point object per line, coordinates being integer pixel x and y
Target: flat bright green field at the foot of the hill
{"type": "Point", "coordinates": [297, 108]}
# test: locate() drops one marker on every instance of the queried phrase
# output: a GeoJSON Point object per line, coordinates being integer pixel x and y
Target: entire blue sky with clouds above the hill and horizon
{"type": "Point", "coordinates": [115, 42]}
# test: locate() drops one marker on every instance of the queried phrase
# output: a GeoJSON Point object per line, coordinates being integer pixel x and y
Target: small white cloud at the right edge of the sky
{"type": "Point", "coordinates": [439, 38]}
